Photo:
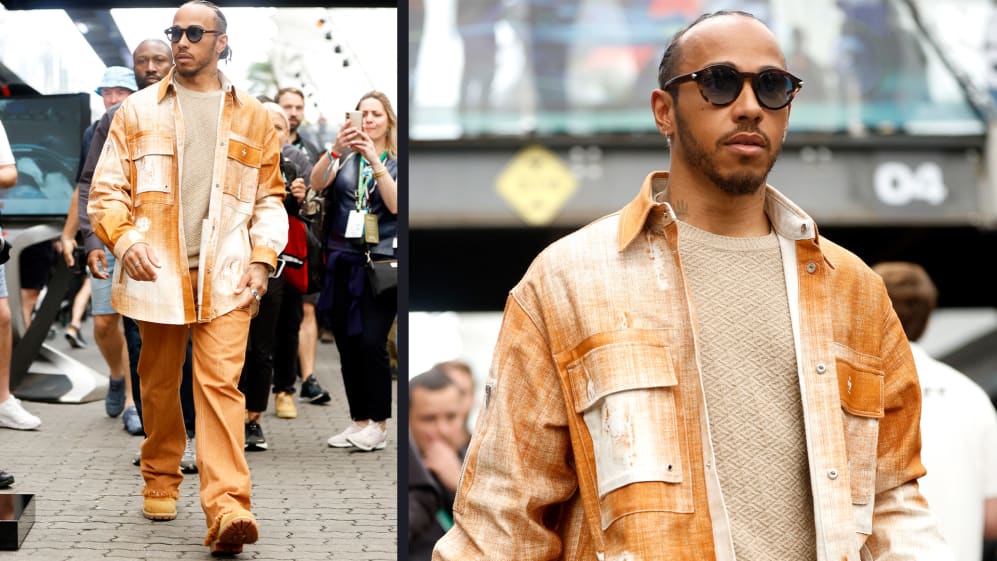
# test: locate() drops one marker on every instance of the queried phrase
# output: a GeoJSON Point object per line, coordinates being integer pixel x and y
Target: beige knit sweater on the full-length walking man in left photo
{"type": "Point", "coordinates": [200, 120]}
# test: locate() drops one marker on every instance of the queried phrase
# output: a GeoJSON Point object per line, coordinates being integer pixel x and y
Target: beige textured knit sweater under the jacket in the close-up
{"type": "Point", "coordinates": [748, 364]}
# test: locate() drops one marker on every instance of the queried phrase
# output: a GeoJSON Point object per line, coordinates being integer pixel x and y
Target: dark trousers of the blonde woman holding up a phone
{"type": "Point", "coordinates": [364, 357]}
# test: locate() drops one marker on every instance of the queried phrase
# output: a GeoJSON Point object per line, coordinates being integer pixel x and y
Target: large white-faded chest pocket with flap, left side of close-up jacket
{"type": "Point", "coordinates": [625, 393]}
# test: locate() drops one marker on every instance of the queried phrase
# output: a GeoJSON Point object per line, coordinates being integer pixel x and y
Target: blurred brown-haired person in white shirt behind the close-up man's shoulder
{"type": "Point", "coordinates": [958, 423]}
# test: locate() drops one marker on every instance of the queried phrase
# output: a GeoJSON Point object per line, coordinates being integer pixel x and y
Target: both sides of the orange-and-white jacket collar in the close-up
{"type": "Point", "coordinates": [788, 220]}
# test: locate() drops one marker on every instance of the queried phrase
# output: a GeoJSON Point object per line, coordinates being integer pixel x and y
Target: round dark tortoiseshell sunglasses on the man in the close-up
{"type": "Point", "coordinates": [721, 84]}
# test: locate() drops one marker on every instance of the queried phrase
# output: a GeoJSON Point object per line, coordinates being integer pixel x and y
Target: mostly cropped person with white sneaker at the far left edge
{"type": "Point", "coordinates": [12, 414]}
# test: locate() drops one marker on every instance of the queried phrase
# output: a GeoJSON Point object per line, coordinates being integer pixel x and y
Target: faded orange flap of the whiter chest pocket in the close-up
{"type": "Point", "coordinates": [617, 367]}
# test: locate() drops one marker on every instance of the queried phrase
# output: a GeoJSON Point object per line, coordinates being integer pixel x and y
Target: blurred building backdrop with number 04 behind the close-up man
{"type": "Point", "coordinates": [531, 118]}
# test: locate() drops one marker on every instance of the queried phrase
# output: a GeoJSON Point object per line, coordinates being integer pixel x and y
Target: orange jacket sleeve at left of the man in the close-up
{"type": "Point", "coordinates": [510, 487]}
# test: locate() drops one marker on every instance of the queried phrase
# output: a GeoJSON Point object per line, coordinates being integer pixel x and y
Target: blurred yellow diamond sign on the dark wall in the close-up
{"type": "Point", "coordinates": [536, 184]}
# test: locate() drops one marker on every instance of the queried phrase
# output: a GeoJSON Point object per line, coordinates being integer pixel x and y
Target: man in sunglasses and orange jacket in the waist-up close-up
{"type": "Point", "coordinates": [700, 376]}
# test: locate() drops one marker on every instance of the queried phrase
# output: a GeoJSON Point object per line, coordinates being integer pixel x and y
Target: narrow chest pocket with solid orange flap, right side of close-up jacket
{"type": "Point", "coordinates": [862, 401]}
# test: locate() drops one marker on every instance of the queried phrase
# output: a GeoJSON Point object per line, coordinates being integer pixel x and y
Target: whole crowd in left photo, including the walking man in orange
{"type": "Point", "coordinates": [209, 273]}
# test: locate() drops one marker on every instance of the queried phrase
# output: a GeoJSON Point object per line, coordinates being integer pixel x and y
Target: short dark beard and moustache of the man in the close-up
{"type": "Point", "coordinates": [737, 182]}
